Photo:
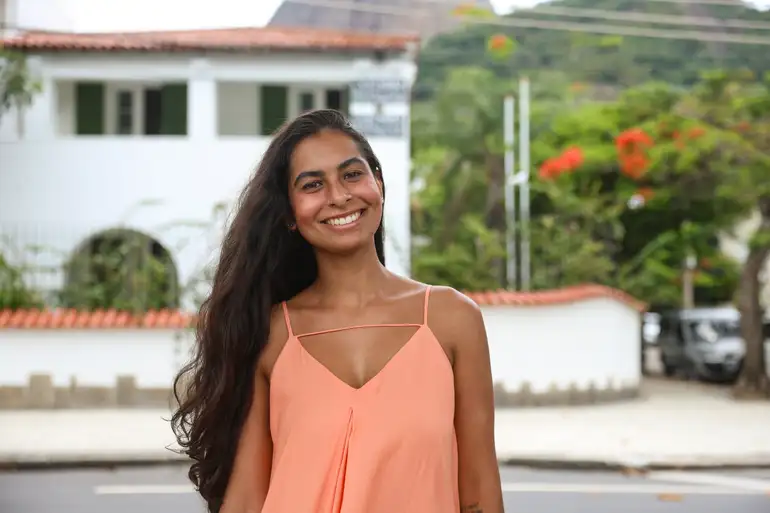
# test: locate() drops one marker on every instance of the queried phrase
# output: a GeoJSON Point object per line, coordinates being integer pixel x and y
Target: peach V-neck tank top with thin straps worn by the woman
{"type": "Point", "coordinates": [387, 447]}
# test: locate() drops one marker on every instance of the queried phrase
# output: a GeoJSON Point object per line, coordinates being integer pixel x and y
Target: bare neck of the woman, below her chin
{"type": "Point", "coordinates": [350, 280]}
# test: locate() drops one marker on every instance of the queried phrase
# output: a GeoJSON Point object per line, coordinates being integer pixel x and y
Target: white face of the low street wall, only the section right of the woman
{"type": "Point", "coordinates": [595, 340]}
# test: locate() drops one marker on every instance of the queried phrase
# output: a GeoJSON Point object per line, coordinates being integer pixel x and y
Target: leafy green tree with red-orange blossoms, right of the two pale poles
{"type": "Point", "coordinates": [645, 188]}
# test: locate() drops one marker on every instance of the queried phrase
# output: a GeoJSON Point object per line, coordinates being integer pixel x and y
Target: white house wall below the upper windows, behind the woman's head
{"type": "Point", "coordinates": [72, 189]}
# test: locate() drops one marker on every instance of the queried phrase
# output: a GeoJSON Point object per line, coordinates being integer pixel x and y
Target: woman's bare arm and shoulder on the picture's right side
{"type": "Point", "coordinates": [462, 327]}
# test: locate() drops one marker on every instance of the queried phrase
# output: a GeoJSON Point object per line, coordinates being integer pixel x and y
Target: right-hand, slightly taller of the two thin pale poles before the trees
{"type": "Point", "coordinates": [526, 265]}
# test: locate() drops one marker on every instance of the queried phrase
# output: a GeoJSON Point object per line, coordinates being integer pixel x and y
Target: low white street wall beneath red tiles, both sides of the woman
{"type": "Point", "coordinates": [594, 341]}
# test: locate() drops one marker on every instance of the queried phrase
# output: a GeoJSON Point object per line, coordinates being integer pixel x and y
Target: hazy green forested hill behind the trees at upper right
{"type": "Point", "coordinates": [598, 59]}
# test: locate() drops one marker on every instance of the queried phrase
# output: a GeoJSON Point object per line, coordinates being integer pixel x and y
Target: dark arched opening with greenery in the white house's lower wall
{"type": "Point", "coordinates": [121, 269]}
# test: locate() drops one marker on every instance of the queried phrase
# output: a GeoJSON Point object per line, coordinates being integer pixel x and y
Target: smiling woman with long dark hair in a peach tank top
{"type": "Point", "coordinates": [322, 382]}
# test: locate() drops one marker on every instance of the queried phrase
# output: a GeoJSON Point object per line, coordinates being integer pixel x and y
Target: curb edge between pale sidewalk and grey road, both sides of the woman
{"type": "Point", "coordinates": [10, 463]}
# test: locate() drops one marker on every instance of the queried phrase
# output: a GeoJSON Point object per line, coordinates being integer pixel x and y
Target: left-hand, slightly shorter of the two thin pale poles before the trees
{"type": "Point", "coordinates": [509, 113]}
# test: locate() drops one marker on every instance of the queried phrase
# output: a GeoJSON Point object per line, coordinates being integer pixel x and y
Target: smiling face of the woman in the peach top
{"type": "Point", "coordinates": [335, 197]}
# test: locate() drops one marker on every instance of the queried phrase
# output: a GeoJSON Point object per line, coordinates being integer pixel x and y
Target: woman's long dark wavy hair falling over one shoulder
{"type": "Point", "coordinates": [261, 263]}
